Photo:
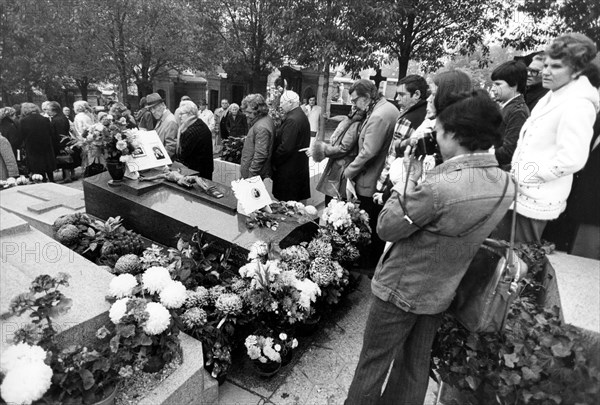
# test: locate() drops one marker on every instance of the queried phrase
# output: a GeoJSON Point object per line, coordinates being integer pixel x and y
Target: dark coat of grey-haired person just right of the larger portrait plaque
{"type": "Point", "coordinates": [196, 149]}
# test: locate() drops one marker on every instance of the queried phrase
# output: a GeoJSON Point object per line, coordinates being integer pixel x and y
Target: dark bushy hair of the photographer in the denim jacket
{"type": "Point", "coordinates": [474, 119]}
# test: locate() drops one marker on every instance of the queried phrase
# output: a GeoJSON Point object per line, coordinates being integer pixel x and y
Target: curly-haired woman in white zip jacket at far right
{"type": "Point", "coordinates": [554, 141]}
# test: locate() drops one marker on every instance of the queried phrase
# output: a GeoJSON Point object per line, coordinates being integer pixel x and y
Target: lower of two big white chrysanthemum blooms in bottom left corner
{"type": "Point", "coordinates": [26, 383]}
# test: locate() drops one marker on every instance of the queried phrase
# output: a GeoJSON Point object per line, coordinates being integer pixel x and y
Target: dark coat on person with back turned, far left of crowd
{"type": "Point", "coordinates": [37, 134]}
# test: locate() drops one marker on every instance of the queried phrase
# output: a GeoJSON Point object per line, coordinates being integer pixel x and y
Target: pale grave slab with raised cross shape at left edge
{"type": "Point", "coordinates": [41, 204]}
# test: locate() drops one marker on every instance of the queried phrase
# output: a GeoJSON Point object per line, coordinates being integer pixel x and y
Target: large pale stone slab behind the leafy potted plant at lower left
{"type": "Point", "coordinates": [30, 253]}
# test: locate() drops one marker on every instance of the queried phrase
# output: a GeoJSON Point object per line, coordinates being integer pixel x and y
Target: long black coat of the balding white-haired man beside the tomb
{"type": "Point", "coordinates": [291, 180]}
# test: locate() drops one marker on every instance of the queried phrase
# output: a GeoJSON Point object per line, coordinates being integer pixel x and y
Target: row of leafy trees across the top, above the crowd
{"type": "Point", "coordinates": [47, 43]}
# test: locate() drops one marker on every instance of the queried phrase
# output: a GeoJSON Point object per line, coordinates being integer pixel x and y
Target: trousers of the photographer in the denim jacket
{"type": "Point", "coordinates": [405, 338]}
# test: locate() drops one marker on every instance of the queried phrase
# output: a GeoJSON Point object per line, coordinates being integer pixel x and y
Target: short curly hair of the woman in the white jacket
{"type": "Point", "coordinates": [574, 49]}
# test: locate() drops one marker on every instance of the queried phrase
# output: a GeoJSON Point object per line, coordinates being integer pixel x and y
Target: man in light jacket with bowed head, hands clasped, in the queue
{"type": "Point", "coordinates": [373, 143]}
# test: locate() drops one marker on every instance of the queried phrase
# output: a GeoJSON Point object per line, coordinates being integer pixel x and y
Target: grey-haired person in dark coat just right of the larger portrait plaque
{"type": "Point", "coordinates": [194, 148]}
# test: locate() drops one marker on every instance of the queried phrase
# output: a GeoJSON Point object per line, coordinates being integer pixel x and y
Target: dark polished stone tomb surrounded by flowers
{"type": "Point", "coordinates": [163, 212]}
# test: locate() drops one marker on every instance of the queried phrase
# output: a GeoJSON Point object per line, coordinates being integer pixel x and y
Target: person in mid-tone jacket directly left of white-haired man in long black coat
{"type": "Point", "coordinates": [258, 145]}
